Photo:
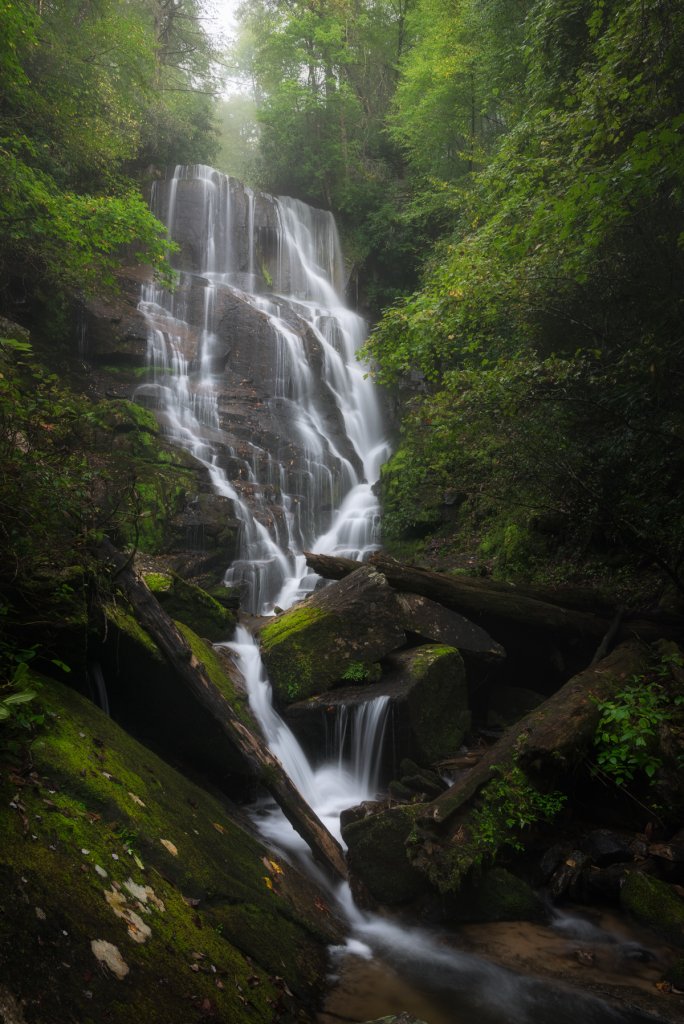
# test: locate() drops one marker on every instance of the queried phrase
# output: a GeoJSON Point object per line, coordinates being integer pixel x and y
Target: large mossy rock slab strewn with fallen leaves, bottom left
{"type": "Point", "coordinates": [129, 892]}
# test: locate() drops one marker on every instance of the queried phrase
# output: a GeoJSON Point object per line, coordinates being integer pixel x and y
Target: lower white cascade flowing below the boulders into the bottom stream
{"type": "Point", "coordinates": [392, 967]}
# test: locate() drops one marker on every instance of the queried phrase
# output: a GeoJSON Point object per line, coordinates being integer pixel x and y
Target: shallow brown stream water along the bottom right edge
{"type": "Point", "coordinates": [582, 969]}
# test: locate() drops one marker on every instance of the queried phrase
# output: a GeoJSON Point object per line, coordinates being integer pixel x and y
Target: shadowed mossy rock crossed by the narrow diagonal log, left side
{"type": "Point", "coordinates": [149, 700]}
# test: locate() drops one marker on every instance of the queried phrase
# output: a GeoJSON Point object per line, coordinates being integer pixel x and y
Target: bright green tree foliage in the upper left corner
{"type": "Point", "coordinates": [90, 95]}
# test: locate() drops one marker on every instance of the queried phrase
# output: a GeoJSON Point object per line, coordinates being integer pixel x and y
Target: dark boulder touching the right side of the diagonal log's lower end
{"type": "Point", "coordinates": [377, 854]}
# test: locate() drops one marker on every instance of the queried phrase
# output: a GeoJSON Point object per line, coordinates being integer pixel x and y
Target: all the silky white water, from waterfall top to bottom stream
{"type": "Point", "coordinates": [281, 261]}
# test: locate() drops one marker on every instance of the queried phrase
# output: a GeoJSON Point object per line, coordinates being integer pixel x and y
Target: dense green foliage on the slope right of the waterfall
{"type": "Point", "coordinates": [540, 349]}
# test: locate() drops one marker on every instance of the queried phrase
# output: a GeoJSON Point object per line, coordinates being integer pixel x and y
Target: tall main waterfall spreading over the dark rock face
{"type": "Point", "coordinates": [258, 326]}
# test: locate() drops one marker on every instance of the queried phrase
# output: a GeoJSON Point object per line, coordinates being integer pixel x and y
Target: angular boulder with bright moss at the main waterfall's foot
{"type": "Point", "coordinates": [311, 648]}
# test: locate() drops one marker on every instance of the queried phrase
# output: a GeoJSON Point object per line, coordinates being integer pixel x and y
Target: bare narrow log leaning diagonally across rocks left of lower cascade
{"type": "Point", "coordinates": [251, 748]}
